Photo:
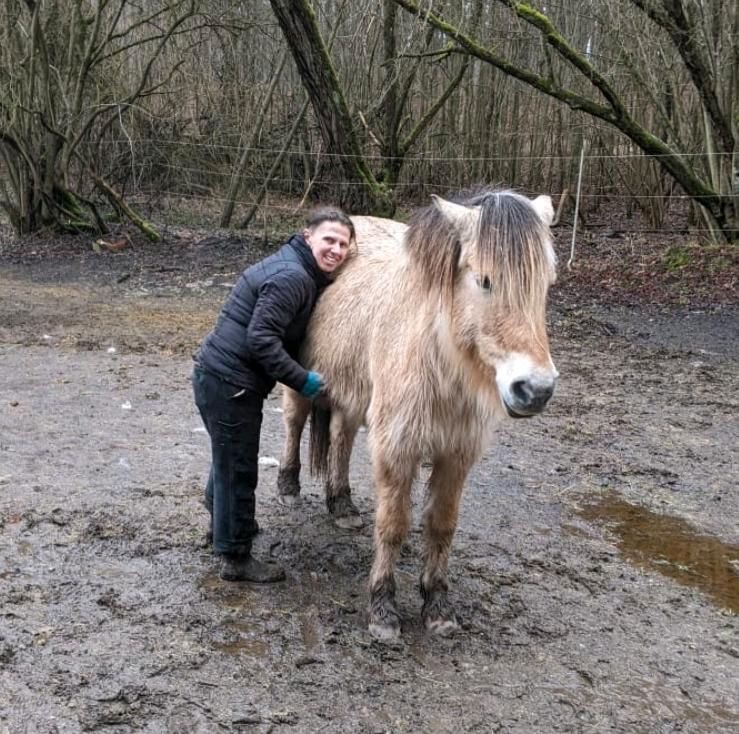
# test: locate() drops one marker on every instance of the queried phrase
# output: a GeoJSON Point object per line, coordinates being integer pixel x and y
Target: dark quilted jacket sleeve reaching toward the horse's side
{"type": "Point", "coordinates": [281, 299]}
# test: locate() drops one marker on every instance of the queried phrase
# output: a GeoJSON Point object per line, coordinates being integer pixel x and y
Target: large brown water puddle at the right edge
{"type": "Point", "coordinates": [672, 547]}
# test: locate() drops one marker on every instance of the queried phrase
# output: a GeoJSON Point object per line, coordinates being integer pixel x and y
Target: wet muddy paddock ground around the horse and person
{"type": "Point", "coordinates": [595, 569]}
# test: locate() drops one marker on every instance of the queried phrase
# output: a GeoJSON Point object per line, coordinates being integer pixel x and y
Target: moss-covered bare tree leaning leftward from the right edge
{"type": "Point", "coordinates": [678, 18]}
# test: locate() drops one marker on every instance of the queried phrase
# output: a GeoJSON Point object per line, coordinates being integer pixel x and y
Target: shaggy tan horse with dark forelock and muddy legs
{"type": "Point", "coordinates": [432, 333]}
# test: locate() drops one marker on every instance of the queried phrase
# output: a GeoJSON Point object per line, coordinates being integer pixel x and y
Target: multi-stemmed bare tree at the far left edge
{"type": "Point", "coordinates": [60, 89]}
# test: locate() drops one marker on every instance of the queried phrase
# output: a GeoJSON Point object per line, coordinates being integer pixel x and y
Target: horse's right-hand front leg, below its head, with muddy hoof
{"type": "Point", "coordinates": [439, 523]}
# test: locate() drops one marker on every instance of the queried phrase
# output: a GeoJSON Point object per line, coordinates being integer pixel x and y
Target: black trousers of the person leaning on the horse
{"type": "Point", "coordinates": [233, 419]}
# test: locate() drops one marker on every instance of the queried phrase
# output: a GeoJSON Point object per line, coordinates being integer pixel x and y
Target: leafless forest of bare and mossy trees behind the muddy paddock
{"type": "Point", "coordinates": [228, 113]}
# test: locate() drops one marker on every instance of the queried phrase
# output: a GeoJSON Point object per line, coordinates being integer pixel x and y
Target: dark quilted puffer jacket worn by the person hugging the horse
{"type": "Point", "coordinates": [259, 330]}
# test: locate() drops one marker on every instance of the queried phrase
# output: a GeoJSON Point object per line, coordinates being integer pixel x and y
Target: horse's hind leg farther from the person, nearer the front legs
{"type": "Point", "coordinates": [338, 492]}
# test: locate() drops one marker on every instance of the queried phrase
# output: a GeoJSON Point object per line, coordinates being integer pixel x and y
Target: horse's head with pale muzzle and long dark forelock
{"type": "Point", "coordinates": [503, 266]}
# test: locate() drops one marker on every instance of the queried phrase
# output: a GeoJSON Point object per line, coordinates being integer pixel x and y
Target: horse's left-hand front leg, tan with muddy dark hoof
{"type": "Point", "coordinates": [392, 522]}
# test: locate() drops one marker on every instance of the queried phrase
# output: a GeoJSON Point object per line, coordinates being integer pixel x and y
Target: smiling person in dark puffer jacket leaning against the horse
{"type": "Point", "coordinates": [254, 345]}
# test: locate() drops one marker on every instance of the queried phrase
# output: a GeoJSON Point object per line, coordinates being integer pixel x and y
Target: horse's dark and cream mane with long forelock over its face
{"type": "Point", "coordinates": [509, 243]}
